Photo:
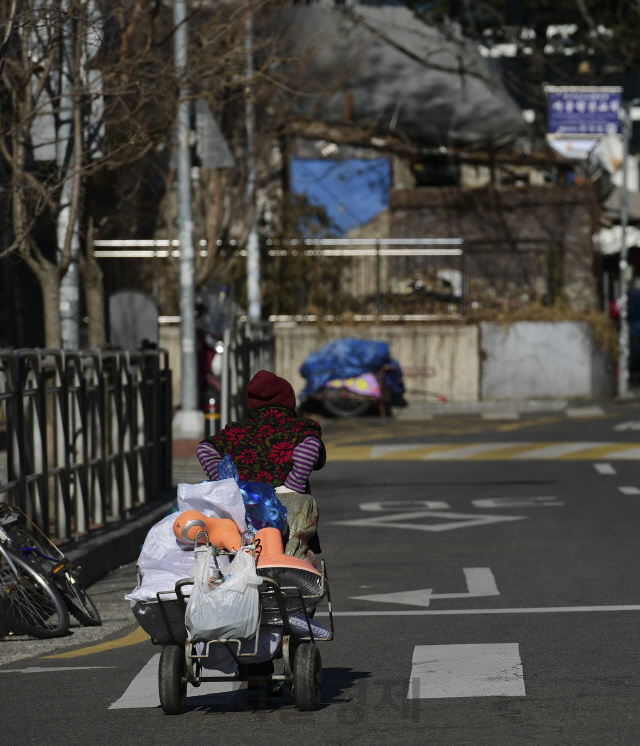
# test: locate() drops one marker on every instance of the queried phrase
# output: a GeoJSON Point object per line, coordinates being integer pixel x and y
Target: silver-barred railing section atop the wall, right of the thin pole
{"type": "Point", "coordinates": [375, 278]}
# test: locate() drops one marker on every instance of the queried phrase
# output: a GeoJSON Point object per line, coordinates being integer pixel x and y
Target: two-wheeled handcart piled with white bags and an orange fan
{"type": "Point", "coordinates": [217, 590]}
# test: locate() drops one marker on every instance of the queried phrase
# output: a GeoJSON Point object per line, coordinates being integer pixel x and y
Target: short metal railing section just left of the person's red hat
{"type": "Point", "coordinates": [248, 348]}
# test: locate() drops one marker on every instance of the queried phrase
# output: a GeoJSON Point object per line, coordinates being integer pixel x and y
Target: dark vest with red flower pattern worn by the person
{"type": "Point", "coordinates": [262, 446]}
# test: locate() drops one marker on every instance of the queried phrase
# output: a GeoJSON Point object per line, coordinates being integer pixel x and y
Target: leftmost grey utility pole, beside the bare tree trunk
{"type": "Point", "coordinates": [65, 158]}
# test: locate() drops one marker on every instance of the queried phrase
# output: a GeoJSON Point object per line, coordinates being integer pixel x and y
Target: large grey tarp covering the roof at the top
{"type": "Point", "coordinates": [351, 73]}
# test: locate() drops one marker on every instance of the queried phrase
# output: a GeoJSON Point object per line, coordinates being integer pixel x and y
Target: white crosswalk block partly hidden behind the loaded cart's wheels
{"type": "Point", "coordinates": [143, 690]}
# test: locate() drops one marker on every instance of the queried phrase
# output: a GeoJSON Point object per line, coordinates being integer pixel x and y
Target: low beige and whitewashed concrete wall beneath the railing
{"type": "Point", "coordinates": [522, 360]}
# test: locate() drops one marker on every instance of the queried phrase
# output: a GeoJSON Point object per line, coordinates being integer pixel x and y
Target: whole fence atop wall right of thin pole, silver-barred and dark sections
{"type": "Point", "coordinates": [418, 279]}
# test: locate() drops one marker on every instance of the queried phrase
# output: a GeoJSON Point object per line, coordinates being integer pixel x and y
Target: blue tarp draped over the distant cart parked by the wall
{"type": "Point", "coordinates": [343, 358]}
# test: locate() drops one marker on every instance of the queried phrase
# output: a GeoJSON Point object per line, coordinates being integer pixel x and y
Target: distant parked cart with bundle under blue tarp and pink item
{"type": "Point", "coordinates": [349, 376]}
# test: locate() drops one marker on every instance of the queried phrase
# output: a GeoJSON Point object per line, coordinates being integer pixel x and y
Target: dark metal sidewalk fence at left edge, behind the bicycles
{"type": "Point", "coordinates": [88, 435]}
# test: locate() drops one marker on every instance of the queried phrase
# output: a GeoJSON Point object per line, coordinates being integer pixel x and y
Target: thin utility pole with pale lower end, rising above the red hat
{"type": "Point", "coordinates": [253, 244]}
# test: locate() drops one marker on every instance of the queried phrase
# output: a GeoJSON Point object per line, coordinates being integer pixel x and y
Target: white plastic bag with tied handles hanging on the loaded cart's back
{"type": "Point", "coordinates": [226, 611]}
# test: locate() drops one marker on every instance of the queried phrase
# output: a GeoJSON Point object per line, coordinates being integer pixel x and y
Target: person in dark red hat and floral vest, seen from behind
{"type": "Point", "coordinates": [275, 446]}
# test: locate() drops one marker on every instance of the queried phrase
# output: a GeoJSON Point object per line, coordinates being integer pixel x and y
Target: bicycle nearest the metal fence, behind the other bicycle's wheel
{"type": "Point", "coordinates": [43, 556]}
